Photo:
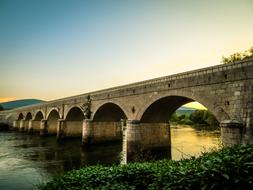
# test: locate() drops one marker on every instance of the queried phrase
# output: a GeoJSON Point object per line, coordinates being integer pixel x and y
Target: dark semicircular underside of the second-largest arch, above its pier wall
{"type": "Point", "coordinates": [109, 112]}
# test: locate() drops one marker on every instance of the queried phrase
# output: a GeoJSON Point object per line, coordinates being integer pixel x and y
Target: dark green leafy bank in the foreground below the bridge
{"type": "Point", "coordinates": [228, 168]}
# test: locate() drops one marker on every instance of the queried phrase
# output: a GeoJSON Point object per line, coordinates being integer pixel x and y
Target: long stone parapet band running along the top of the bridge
{"type": "Point", "coordinates": [241, 70]}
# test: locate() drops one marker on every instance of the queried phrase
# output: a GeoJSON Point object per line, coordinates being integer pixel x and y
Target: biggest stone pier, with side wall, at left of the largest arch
{"type": "Point", "coordinates": [142, 139]}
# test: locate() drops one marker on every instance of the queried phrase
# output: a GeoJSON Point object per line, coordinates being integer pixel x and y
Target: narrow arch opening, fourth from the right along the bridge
{"type": "Point", "coordinates": [52, 122]}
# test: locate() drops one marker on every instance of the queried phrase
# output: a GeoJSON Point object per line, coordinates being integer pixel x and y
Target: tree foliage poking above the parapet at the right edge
{"type": "Point", "coordinates": [238, 56]}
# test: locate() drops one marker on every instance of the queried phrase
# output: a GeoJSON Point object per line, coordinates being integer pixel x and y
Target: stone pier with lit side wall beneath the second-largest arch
{"type": "Point", "coordinates": [100, 132]}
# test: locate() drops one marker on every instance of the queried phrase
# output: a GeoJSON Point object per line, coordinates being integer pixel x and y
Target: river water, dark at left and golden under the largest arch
{"type": "Point", "coordinates": [26, 160]}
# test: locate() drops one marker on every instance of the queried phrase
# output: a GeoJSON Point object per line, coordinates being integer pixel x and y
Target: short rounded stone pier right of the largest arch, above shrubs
{"type": "Point", "coordinates": [231, 132]}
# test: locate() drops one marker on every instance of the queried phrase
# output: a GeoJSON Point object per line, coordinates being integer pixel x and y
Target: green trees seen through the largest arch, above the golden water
{"type": "Point", "coordinates": [199, 119]}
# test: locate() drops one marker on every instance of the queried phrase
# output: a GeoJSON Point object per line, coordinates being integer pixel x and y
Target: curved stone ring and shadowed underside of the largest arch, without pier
{"type": "Point", "coordinates": [166, 104]}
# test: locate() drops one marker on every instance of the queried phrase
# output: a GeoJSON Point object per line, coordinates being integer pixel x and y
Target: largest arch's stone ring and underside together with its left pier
{"type": "Point", "coordinates": [152, 129]}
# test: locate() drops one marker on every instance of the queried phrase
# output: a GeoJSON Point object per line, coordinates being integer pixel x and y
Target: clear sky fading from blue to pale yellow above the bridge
{"type": "Point", "coordinates": [50, 49]}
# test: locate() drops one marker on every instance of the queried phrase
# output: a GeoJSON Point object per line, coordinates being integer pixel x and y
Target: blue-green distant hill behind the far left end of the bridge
{"type": "Point", "coordinates": [20, 103]}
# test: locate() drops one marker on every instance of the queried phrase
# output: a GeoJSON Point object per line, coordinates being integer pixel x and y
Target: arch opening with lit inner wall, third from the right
{"type": "Point", "coordinates": [74, 122]}
